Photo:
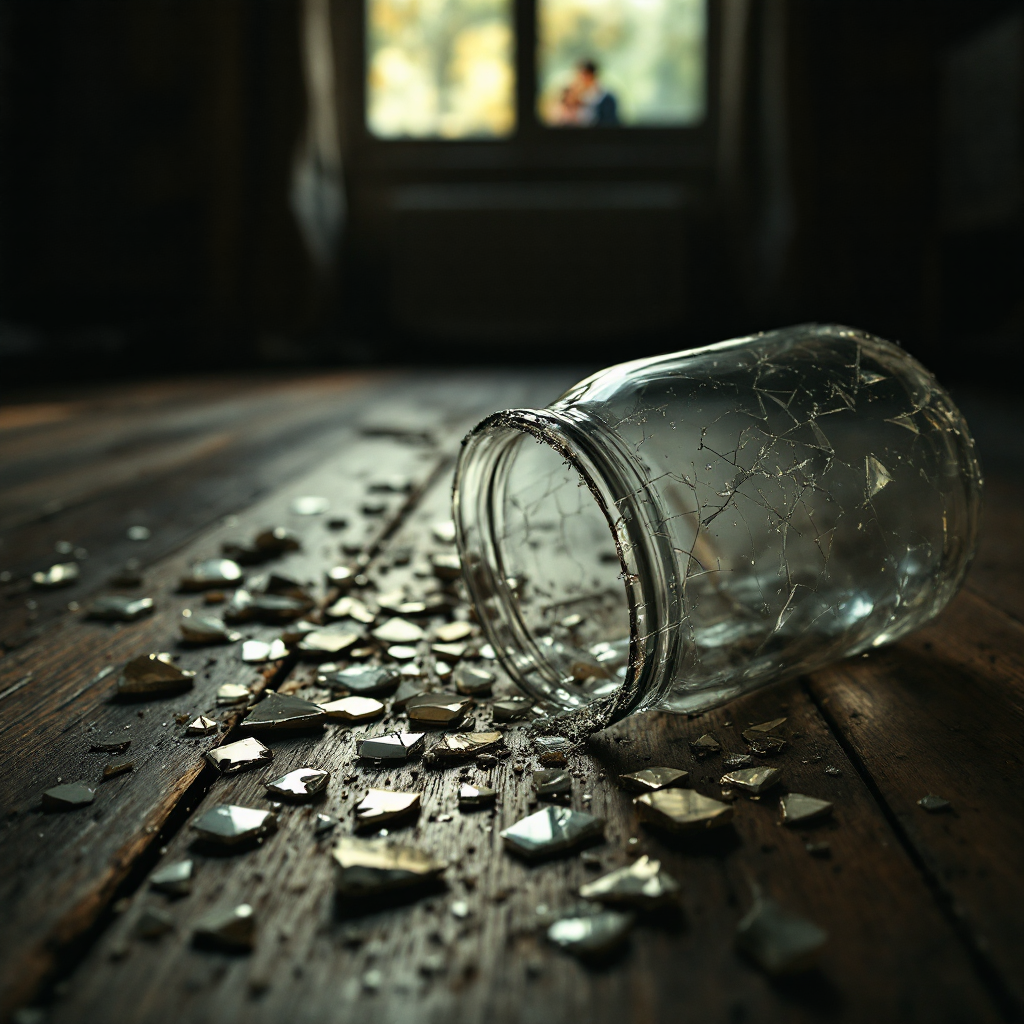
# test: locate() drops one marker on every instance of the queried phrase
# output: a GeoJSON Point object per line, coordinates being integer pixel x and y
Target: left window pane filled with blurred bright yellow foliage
{"type": "Point", "coordinates": [440, 69]}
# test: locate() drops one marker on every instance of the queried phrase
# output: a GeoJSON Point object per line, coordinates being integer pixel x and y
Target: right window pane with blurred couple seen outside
{"type": "Point", "coordinates": [650, 57]}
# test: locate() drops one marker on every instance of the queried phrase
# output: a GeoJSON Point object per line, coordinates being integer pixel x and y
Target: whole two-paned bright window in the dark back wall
{"type": "Point", "coordinates": [447, 69]}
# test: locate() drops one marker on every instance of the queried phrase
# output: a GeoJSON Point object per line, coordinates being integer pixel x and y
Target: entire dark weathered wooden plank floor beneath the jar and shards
{"type": "Point", "coordinates": [924, 911]}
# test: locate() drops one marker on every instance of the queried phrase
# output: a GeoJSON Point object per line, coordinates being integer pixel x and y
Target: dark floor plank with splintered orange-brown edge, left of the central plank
{"type": "Point", "coordinates": [67, 868]}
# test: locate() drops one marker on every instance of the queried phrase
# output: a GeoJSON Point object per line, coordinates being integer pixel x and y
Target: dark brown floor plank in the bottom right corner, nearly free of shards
{"type": "Point", "coordinates": [943, 712]}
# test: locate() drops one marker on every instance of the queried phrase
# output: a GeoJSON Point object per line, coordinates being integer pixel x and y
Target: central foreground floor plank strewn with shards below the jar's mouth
{"type": "Point", "coordinates": [891, 955]}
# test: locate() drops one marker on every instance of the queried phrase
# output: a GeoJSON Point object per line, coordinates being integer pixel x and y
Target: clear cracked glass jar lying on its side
{"type": "Point", "coordinates": [677, 531]}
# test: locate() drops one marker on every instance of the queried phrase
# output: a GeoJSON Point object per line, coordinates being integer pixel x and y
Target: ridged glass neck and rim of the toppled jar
{"type": "Point", "coordinates": [620, 486]}
